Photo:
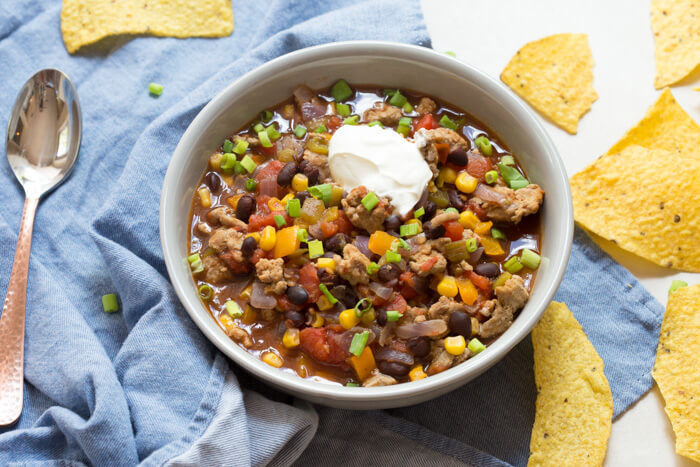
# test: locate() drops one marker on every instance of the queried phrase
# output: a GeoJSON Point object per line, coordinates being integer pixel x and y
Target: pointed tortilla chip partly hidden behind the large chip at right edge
{"type": "Point", "coordinates": [665, 126]}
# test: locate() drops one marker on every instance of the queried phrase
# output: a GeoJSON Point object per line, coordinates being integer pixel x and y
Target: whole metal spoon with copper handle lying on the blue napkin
{"type": "Point", "coordinates": [43, 138]}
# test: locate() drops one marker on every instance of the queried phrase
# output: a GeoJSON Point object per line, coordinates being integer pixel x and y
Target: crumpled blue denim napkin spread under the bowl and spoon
{"type": "Point", "coordinates": [143, 385]}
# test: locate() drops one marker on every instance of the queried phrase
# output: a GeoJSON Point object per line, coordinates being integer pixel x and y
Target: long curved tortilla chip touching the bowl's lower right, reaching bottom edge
{"type": "Point", "coordinates": [574, 404]}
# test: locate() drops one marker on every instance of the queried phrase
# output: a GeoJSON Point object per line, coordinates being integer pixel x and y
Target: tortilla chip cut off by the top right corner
{"type": "Point", "coordinates": [676, 27]}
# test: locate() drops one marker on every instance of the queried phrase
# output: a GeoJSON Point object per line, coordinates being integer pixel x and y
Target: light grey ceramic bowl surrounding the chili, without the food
{"type": "Point", "coordinates": [386, 65]}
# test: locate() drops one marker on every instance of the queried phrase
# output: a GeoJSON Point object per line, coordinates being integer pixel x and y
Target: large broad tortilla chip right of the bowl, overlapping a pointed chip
{"type": "Point", "coordinates": [645, 201]}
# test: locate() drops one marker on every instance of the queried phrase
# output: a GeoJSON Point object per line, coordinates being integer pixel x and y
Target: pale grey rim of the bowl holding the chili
{"type": "Point", "coordinates": [319, 390]}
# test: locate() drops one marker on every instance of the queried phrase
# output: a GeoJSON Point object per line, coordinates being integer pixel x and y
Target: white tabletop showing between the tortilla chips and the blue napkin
{"type": "Point", "coordinates": [486, 34]}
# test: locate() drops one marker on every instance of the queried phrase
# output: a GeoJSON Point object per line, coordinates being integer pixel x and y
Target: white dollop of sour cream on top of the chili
{"type": "Point", "coordinates": [381, 160]}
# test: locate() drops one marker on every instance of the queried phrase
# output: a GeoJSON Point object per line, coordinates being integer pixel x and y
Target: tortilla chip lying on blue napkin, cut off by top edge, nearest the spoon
{"type": "Point", "coordinates": [85, 22]}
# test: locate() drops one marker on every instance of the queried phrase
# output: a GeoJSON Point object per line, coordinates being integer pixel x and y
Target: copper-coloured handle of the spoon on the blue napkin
{"type": "Point", "coordinates": [12, 322]}
